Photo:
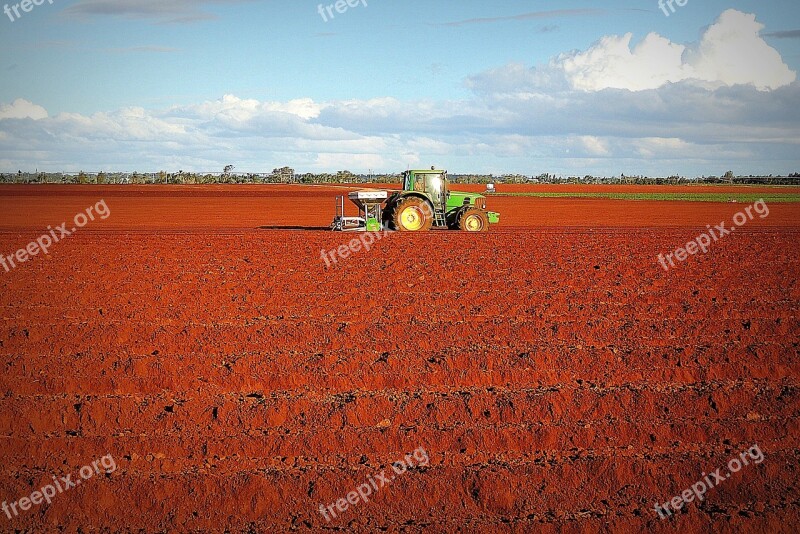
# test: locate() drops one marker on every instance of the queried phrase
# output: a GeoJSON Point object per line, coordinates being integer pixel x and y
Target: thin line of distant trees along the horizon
{"type": "Point", "coordinates": [288, 175]}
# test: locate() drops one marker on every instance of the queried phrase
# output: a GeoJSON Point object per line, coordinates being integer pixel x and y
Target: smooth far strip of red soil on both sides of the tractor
{"type": "Point", "coordinates": [312, 207]}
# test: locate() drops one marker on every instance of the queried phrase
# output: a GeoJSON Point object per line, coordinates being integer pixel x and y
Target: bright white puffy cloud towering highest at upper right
{"type": "Point", "coordinates": [730, 52]}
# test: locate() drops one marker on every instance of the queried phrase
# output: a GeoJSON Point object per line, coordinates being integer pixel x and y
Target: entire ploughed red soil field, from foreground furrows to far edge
{"type": "Point", "coordinates": [557, 378]}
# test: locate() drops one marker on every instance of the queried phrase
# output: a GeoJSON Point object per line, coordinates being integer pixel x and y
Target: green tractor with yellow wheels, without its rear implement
{"type": "Point", "coordinates": [426, 201]}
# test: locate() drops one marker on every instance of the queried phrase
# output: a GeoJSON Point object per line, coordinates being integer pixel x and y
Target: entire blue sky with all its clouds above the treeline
{"type": "Point", "coordinates": [528, 87]}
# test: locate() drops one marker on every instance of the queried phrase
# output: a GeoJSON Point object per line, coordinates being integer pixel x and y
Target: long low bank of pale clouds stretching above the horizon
{"type": "Point", "coordinates": [665, 130]}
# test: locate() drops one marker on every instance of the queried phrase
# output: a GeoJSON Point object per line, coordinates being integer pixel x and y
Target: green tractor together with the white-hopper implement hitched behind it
{"type": "Point", "coordinates": [424, 202]}
